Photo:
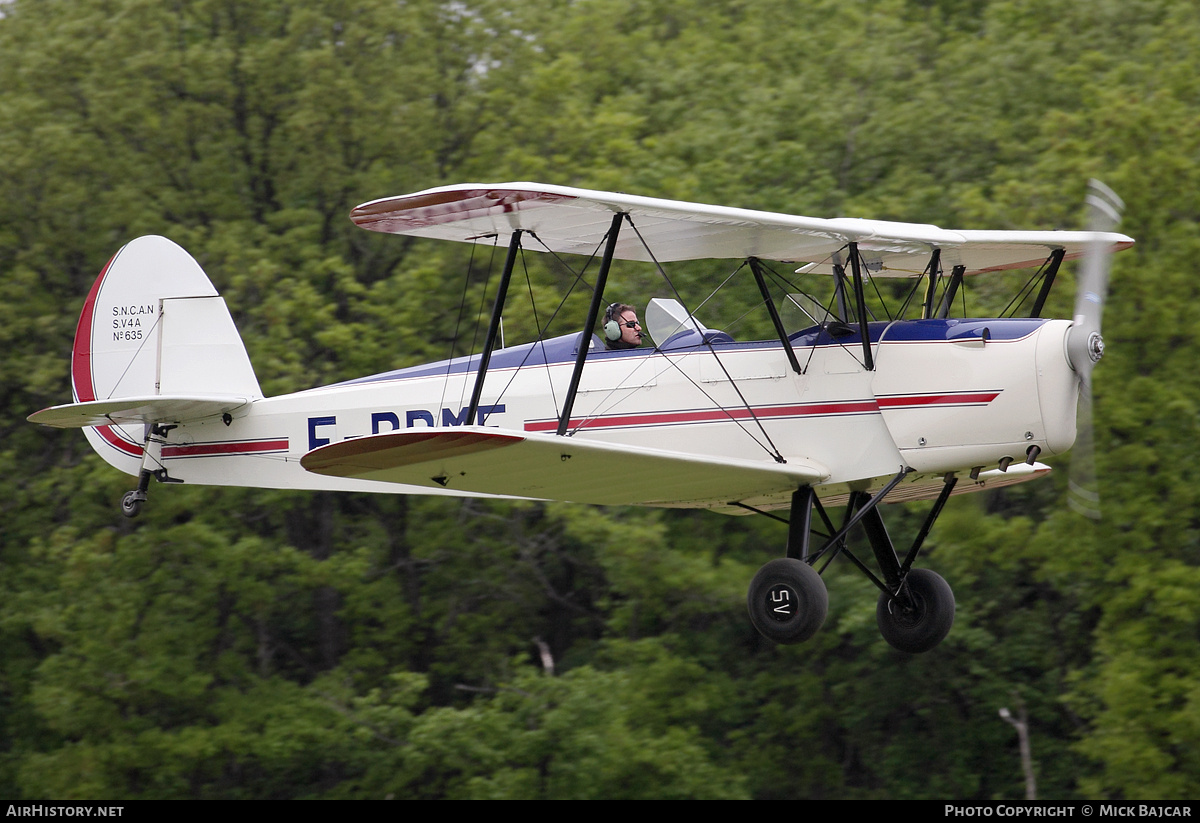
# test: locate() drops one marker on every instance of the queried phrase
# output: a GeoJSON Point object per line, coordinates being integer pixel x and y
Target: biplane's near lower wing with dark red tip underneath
{"type": "Point", "coordinates": [491, 461]}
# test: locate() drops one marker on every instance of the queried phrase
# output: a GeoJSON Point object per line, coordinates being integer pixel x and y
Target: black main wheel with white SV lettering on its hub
{"type": "Point", "coordinates": [788, 602]}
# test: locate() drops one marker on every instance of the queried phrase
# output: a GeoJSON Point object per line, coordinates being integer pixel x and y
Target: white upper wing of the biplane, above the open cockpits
{"type": "Point", "coordinates": [577, 220]}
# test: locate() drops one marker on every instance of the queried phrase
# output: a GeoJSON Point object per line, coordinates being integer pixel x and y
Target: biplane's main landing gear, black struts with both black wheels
{"type": "Point", "coordinates": [788, 598]}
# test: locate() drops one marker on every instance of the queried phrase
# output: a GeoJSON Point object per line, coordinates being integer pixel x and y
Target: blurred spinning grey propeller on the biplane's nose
{"type": "Point", "coordinates": [1085, 346]}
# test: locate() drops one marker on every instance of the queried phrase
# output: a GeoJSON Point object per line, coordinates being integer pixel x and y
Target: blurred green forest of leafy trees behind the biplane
{"type": "Point", "coordinates": [242, 644]}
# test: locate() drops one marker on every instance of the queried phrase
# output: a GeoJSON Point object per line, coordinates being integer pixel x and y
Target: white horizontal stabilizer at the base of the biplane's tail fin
{"type": "Point", "coordinates": [148, 410]}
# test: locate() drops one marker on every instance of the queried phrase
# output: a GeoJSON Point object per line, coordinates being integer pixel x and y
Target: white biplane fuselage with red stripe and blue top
{"type": "Point", "coordinates": [944, 397]}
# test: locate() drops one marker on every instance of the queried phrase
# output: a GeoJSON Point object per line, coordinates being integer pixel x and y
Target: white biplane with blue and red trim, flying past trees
{"type": "Point", "coordinates": [842, 409]}
